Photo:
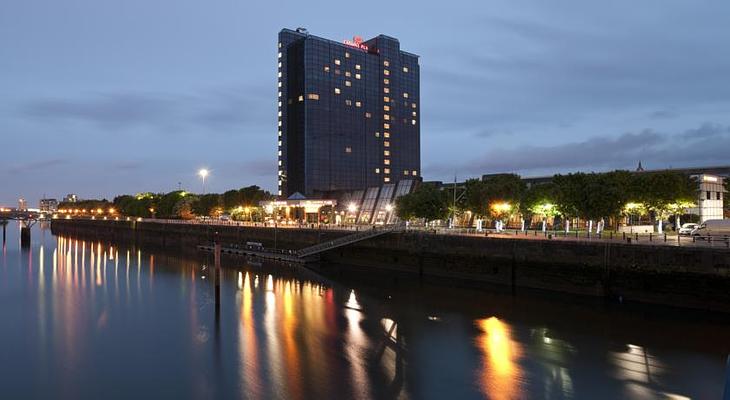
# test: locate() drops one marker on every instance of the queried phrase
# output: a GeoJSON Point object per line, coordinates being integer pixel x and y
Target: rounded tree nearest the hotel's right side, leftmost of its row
{"type": "Point", "coordinates": [426, 202]}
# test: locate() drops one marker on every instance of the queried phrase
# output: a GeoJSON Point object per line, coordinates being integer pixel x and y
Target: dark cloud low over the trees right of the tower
{"type": "Point", "coordinates": [698, 146]}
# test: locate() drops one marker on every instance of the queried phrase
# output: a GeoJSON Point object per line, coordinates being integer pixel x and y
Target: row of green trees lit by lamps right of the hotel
{"type": "Point", "coordinates": [588, 196]}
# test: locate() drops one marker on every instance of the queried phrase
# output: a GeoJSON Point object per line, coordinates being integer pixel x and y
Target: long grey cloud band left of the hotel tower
{"type": "Point", "coordinates": [222, 110]}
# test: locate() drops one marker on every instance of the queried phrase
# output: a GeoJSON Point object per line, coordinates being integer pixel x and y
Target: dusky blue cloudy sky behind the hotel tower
{"type": "Point", "coordinates": [101, 97]}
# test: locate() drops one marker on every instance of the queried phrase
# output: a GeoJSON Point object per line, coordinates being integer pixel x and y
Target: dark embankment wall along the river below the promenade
{"type": "Point", "coordinates": [692, 277]}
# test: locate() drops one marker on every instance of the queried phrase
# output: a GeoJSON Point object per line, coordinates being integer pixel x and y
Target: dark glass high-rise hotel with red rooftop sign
{"type": "Point", "coordinates": [348, 114]}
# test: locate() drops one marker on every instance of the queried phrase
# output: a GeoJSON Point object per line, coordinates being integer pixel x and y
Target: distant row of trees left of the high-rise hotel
{"type": "Point", "coordinates": [242, 203]}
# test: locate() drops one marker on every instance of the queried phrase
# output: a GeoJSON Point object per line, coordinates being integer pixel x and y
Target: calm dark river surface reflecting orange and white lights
{"type": "Point", "coordinates": [86, 320]}
